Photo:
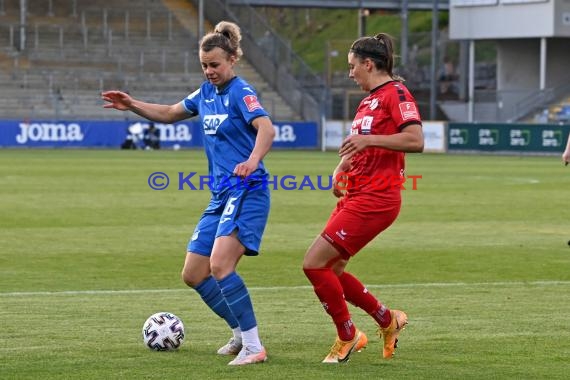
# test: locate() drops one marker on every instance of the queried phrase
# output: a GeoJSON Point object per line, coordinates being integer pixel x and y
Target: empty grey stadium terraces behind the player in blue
{"type": "Point", "coordinates": [74, 49]}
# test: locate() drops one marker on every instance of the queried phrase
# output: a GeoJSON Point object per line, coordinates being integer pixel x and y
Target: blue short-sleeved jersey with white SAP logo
{"type": "Point", "coordinates": [228, 135]}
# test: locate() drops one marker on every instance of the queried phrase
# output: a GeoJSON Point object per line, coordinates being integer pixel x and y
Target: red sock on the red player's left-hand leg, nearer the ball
{"type": "Point", "coordinates": [329, 291]}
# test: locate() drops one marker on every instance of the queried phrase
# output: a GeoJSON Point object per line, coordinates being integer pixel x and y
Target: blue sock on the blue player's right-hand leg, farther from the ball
{"type": "Point", "coordinates": [237, 297]}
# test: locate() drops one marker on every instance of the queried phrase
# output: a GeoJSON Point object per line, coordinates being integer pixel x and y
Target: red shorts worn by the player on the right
{"type": "Point", "coordinates": [350, 228]}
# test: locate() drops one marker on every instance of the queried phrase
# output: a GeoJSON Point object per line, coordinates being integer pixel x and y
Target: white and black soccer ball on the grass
{"type": "Point", "coordinates": [163, 332]}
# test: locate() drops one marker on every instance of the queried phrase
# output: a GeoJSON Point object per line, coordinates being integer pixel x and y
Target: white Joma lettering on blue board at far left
{"type": "Point", "coordinates": [49, 132]}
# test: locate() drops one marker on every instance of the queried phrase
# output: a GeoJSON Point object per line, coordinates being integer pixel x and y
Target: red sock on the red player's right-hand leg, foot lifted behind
{"type": "Point", "coordinates": [357, 294]}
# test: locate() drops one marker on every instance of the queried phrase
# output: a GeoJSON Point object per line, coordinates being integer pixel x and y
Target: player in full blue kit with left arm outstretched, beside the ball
{"type": "Point", "coordinates": [238, 133]}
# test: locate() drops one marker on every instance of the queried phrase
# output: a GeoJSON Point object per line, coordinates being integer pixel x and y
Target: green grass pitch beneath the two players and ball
{"type": "Point", "coordinates": [479, 259]}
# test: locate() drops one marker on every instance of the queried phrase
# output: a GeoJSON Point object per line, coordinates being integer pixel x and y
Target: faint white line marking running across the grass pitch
{"type": "Point", "coordinates": [281, 288]}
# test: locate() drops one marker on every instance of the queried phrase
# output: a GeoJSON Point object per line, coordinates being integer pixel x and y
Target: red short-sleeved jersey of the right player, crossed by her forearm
{"type": "Point", "coordinates": [374, 171]}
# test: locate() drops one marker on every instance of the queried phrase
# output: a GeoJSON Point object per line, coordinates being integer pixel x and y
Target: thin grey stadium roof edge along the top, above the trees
{"type": "Point", "coordinates": [368, 4]}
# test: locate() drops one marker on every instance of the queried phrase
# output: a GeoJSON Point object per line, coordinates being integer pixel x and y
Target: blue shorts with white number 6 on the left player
{"type": "Point", "coordinates": [246, 210]}
